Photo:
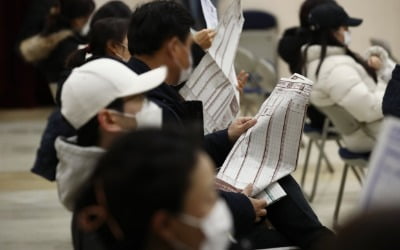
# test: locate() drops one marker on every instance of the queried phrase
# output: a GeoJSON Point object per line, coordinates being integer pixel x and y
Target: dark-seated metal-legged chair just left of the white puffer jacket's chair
{"type": "Point", "coordinates": [319, 138]}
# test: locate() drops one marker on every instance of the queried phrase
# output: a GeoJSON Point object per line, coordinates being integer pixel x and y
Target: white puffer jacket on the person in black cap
{"type": "Point", "coordinates": [344, 82]}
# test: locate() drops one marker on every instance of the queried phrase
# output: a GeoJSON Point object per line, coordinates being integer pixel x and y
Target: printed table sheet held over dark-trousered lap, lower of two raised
{"type": "Point", "coordinates": [269, 151]}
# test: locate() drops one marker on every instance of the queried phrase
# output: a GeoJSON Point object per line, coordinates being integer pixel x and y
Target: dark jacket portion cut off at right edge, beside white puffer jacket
{"type": "Point", "coordinates": [391, 100]}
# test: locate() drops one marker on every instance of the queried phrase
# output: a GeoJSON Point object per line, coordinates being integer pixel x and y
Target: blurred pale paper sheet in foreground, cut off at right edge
{"type": "Point", "coordinates": [383, 182]}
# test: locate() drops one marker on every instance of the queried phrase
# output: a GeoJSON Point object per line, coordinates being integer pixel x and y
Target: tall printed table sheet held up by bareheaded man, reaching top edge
{"type": "Point", "coordinates": [214, 79]}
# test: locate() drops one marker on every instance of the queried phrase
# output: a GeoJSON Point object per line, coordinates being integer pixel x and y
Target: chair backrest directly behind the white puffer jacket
{"type": "Point", "coordinates": [343, 121]}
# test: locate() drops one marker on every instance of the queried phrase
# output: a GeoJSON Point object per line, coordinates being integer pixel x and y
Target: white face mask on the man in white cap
{"type": "Point", "coordinates": [150, 116]}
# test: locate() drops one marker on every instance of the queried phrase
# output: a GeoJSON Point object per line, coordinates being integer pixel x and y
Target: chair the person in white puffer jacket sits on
{"type": "Point", "coordinates": [346, 124]}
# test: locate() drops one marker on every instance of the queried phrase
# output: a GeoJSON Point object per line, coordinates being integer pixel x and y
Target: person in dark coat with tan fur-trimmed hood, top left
{"type": "Point", "coordinates": [60, 37]}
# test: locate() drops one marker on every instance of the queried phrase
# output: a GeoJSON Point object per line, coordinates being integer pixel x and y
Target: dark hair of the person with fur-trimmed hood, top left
{"type": "Point", "coordinates": [67, 10]}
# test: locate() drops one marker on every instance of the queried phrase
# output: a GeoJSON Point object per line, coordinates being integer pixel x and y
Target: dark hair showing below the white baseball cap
{"type": "Point", "coordinates": [88, 134]}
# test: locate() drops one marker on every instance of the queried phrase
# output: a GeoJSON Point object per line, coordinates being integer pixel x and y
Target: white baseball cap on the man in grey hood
{"type": "Point", "coordinates": [98, 83]}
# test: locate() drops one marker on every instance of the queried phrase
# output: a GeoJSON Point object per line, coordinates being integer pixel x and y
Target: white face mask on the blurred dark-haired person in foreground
{"type": "Point", "coordinates": [217, 226]}
